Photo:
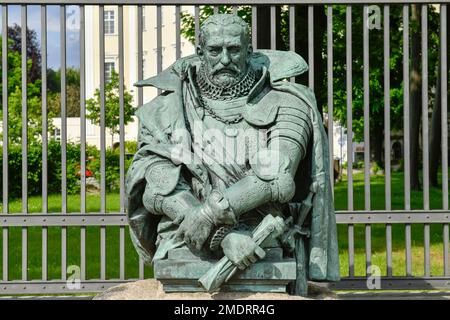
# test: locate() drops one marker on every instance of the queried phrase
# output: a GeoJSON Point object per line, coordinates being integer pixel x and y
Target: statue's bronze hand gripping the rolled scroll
{"type": "Point", "coordinates": [241, 249]}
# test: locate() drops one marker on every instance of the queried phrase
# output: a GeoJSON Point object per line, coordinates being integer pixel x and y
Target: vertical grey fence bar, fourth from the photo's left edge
{"type": "Point", "coordinates": [63, 141]}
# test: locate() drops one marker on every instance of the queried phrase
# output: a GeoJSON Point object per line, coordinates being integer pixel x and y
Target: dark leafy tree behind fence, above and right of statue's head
{"type": "Point", "coordinates": [376, 56]}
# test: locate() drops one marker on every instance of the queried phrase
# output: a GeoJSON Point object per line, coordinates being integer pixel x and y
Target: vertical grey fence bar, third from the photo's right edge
{"type": "Point", "coordinates": [406, 134]}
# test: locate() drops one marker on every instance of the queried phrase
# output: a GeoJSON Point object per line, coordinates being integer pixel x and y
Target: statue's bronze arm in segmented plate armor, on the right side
{"type": "Point", "coordinates": [273, 168]}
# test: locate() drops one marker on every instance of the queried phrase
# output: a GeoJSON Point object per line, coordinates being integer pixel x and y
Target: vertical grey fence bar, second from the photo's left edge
{"type": "Point", "coordinates": [24, 141]}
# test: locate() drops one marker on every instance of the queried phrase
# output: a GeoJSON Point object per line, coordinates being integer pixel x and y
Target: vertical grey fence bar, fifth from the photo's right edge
{"type": "Point", "coordinates": [368, 230]}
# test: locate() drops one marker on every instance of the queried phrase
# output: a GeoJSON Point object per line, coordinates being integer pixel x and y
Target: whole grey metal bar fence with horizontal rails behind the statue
{"type": "Point", "coordinates": [351, 218]}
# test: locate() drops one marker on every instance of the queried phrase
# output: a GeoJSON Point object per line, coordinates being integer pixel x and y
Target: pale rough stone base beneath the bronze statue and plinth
{"type": "Point", "coordinates": [152, 289]}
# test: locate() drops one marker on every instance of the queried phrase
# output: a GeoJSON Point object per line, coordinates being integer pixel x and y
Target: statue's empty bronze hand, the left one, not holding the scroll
{"type": "Point", "coordinates": [194, 229]}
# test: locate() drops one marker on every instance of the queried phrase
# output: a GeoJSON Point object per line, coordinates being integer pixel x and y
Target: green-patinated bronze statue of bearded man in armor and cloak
{"type": "Point", "coordinates": [229, 141]}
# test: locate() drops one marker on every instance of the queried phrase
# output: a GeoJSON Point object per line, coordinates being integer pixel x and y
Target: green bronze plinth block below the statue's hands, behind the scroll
{"type": "Point", "coordinates": [181, 271]}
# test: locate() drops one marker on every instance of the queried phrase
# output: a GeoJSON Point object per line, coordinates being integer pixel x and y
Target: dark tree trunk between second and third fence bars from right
{"type": "Point", "coordinates": [415, 98]}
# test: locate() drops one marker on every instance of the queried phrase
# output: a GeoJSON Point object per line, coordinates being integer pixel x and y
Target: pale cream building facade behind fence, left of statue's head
{"type": "Point", "coordinates": [149, 59]}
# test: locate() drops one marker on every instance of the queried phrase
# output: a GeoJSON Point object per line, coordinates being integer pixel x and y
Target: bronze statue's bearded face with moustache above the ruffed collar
{"type": "Point", "coordinates": [225, 54]}
